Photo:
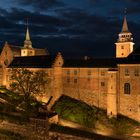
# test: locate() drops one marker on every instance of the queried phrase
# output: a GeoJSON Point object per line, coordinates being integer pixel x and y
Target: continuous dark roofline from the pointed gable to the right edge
{"type": "Point", "coordinates": [102, 63]}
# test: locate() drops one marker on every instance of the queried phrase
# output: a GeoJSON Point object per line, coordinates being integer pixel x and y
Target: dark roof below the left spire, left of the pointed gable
{"type": "Point", "coordinates": [45, 61]}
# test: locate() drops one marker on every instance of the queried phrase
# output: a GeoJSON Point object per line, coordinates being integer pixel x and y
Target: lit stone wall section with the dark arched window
{"type": "Point", "coordinates": [129, 104]}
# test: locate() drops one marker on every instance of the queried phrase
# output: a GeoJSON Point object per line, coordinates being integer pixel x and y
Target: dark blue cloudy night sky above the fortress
{"type": "Point", "coordinates": [73, 27]}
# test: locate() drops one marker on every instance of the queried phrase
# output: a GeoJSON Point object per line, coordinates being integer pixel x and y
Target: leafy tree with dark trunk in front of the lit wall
{"type": "Point", "coordinates": [28, 84]}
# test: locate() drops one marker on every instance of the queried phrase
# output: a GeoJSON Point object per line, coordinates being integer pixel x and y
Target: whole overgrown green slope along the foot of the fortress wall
{"type": "Point", "coordinates": [81, 113]}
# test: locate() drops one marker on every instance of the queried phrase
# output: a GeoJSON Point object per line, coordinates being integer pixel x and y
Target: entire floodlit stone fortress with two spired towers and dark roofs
{"type": "Point", "coordinates": [111, 84]}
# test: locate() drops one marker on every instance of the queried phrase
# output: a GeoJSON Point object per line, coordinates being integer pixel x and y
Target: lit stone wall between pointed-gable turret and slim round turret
{"type": "Point", "coordinates": [88, 84]}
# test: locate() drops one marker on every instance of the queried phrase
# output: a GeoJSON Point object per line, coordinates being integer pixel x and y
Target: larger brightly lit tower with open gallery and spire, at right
{"type": "Point", "coordinates": [124, 44]}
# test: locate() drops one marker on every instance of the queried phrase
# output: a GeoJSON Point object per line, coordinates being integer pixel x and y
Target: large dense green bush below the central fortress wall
{"type": "Point", "coordinates": [76, 111]}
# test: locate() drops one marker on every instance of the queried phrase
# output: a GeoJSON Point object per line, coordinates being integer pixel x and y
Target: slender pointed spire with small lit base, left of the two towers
{"type": "Point", "coordinates": [27, 50]}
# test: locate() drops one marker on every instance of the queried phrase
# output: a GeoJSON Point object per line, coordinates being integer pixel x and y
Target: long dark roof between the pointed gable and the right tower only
{"type": "Point", "coordinates": [97, 63]}
